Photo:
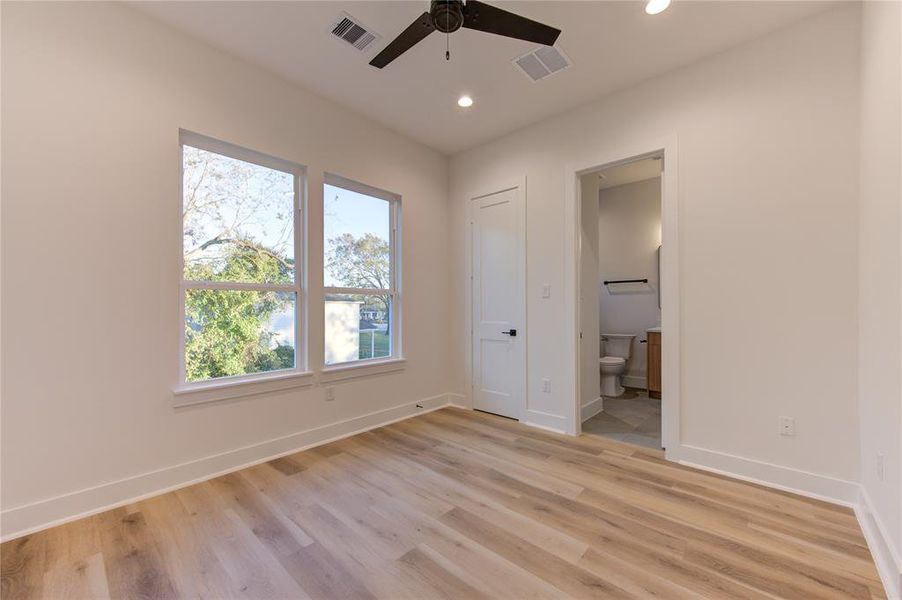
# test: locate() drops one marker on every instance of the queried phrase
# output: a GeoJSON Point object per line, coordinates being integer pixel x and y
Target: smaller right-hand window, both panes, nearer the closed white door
{"type": "Point", "coordinates": [360, 261]}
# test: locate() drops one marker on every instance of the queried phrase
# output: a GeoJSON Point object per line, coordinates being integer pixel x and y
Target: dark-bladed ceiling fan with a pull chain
{"type": "Point", "coordinates": [447, 16]}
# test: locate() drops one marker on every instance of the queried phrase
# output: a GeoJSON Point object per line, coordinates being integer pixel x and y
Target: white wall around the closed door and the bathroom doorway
{"type": "Point", "coordinates": [767, 254]}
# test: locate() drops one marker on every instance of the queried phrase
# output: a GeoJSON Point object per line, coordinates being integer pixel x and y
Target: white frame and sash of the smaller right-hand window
{"type": "Point", "coordinates": [395, 360]}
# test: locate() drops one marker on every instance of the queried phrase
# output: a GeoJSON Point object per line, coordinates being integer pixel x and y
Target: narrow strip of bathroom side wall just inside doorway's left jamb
{"type": "Point", "coordinates": [590, 373]}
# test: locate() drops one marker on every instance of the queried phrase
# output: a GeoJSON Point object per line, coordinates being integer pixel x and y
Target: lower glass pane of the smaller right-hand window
{"type": "Point", "coordinates": [357, 327]}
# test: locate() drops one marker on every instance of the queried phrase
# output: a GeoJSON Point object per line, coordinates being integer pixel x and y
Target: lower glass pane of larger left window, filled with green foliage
{"type": "Point", "coordinates": [231, 332]}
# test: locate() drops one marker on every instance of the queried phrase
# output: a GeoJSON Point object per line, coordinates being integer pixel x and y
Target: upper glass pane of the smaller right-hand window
{"type": "Point", "coordinates": [356, 239]}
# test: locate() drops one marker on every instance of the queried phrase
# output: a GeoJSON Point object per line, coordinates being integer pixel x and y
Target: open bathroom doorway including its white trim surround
{"type": "Point", "coordinates": [626, 374]}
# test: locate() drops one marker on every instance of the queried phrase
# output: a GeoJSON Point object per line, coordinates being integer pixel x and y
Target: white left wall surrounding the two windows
{"type": "Point", "coordinates": [93, 97]}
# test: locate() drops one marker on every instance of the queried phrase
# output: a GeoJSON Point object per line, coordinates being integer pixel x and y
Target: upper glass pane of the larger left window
{"type": "Point", "coordinates": [238, 220]}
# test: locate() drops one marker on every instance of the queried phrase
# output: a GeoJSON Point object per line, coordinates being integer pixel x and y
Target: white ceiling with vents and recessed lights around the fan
{"type": "Point", "coordinates": [612, 45]}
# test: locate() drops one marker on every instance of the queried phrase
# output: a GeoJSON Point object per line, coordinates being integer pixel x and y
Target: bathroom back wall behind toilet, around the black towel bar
{"type": "Point", "coordinates": [629, 233]}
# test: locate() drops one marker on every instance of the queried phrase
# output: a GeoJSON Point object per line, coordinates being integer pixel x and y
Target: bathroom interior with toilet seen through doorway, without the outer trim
{"type": "Point", "coordinates": [620, 363]}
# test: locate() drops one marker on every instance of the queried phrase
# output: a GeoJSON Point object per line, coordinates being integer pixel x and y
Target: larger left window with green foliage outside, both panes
{"type": "Point", "coordinates": [242, 263]}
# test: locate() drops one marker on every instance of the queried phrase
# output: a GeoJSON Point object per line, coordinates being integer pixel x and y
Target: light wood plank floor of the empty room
{"type": "Point", "coordinates": [455, 504]}
